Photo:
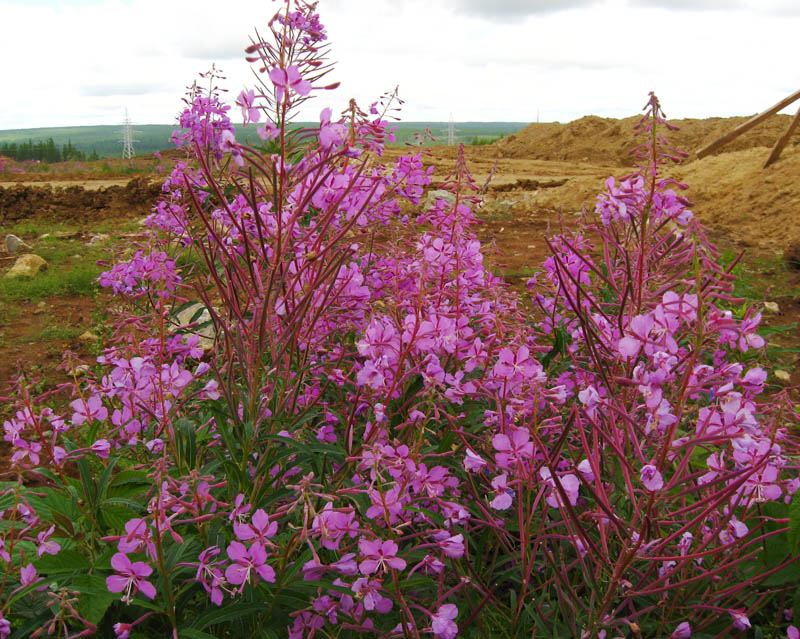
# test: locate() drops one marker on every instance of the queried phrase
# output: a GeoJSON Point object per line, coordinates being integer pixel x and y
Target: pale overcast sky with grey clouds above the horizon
{"type": "Point", "coordinates": [81, 62]}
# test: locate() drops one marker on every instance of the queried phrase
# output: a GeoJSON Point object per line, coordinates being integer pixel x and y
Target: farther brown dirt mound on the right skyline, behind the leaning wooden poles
{"type": "Point", "coordinates": [607, 141]}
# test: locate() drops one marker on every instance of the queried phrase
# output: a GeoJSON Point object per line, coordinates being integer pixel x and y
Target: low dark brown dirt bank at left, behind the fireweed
{"type": "Point", "coordinates": [19, 202]}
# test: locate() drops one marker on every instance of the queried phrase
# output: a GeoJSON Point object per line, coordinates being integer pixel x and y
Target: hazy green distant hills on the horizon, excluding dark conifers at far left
{"type": "Point", "coordinates": [106, 141]}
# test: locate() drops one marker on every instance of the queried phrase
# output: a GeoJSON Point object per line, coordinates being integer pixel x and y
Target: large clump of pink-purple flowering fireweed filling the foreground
{"type": "Point", "coordinates": [359, 431]}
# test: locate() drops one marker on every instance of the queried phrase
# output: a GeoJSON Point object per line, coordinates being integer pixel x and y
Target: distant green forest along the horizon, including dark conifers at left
{"type": "Point", "coordinates": [93, 142]}
